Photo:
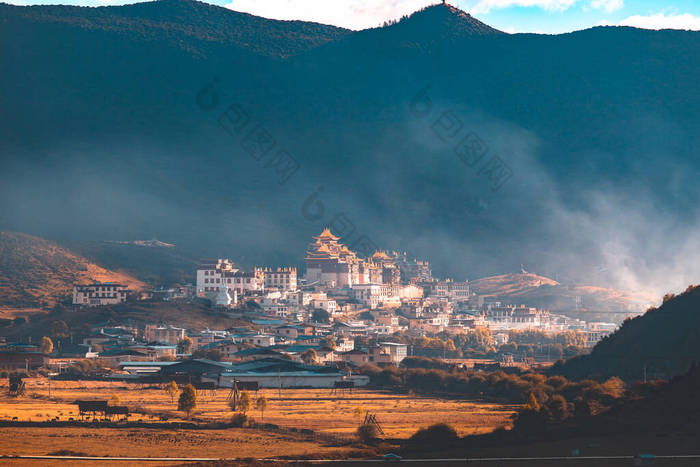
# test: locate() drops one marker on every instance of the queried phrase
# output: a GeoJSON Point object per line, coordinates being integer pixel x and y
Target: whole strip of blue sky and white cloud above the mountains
{"type": "Point", "coordinates": [543, 16]}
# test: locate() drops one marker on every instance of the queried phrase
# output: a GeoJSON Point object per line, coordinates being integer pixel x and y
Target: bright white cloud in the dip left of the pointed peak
{"type": "Point", "coordinates": [352, 14]}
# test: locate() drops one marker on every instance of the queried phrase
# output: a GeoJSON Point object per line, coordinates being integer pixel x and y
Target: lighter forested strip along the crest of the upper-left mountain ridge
{"type": "Point", "coordinates": [190, 19]}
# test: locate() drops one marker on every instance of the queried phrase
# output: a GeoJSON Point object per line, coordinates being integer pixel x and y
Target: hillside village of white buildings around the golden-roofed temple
{"type": "Point", "coordinates": [343, 313]}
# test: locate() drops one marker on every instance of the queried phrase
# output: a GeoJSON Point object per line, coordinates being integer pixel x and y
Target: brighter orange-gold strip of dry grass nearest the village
{"type": "Point", "coordinates": [319, 410]}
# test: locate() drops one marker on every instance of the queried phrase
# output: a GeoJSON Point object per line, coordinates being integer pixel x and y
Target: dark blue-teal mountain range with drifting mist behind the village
{"type": "Point", "coordinates": [232, 135]}
